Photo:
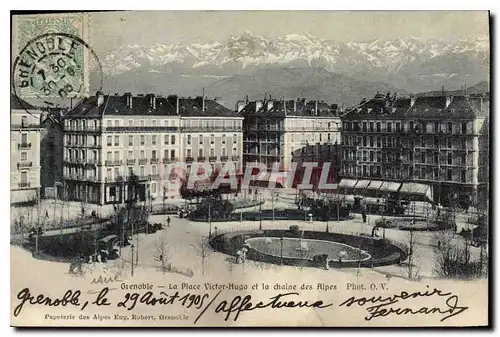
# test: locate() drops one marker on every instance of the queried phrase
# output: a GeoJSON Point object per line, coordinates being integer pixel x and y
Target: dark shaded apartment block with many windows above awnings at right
{"type": "Point", "coordinates": [434, 140]}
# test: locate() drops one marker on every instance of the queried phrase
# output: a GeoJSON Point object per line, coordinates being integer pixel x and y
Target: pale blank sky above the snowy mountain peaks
{"type": "Point", "coordinates": [111, 30]}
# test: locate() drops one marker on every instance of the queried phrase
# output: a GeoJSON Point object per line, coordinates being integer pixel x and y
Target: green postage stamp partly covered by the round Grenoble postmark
{"type": "Point", "coordinates": [52, 57]}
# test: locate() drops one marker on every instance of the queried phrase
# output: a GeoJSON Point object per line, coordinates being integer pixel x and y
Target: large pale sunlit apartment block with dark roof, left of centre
{"type": "Point", "coordinates": [110, 138]}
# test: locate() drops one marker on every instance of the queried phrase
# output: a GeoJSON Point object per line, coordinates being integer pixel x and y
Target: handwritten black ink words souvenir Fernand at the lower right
{"type": "Point", "coordinates": [382, 306]}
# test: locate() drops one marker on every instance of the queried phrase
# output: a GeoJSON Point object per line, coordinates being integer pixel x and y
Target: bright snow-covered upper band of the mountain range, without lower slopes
{"type": "Point", "coordinates": [246, 51]}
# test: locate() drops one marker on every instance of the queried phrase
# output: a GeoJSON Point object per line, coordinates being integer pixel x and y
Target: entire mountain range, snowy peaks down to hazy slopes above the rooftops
{"type": "Point", "coordinates": [294, 65]}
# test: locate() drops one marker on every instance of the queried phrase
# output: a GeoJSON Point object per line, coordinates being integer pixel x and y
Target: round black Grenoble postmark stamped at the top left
{"type": "Point", "coordinates": [55, 68]}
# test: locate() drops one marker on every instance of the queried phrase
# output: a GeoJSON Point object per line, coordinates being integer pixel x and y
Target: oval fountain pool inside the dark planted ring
{"type": "Point", "coordinates": [306, 248]}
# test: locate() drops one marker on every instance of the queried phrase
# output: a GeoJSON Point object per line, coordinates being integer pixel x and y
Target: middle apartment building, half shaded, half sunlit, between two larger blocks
{"type": "Point", "coordinates": [284, 132]}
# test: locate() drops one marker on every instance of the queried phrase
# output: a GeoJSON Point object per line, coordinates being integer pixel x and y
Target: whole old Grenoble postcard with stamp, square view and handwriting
{"type": "Point", "coordinates": [250, 168]}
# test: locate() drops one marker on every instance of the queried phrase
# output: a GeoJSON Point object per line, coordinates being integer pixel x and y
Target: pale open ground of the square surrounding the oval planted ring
{"type": "Point", "coordinates": [184, 238]}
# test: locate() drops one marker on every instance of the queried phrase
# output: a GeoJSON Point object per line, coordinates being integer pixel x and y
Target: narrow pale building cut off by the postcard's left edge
{"type": "Point", "coordinates": [25, 131]}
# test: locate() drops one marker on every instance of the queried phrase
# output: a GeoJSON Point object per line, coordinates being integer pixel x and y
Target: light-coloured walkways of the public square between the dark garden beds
{"type": "Point", "coordinates": [184, 243]}
